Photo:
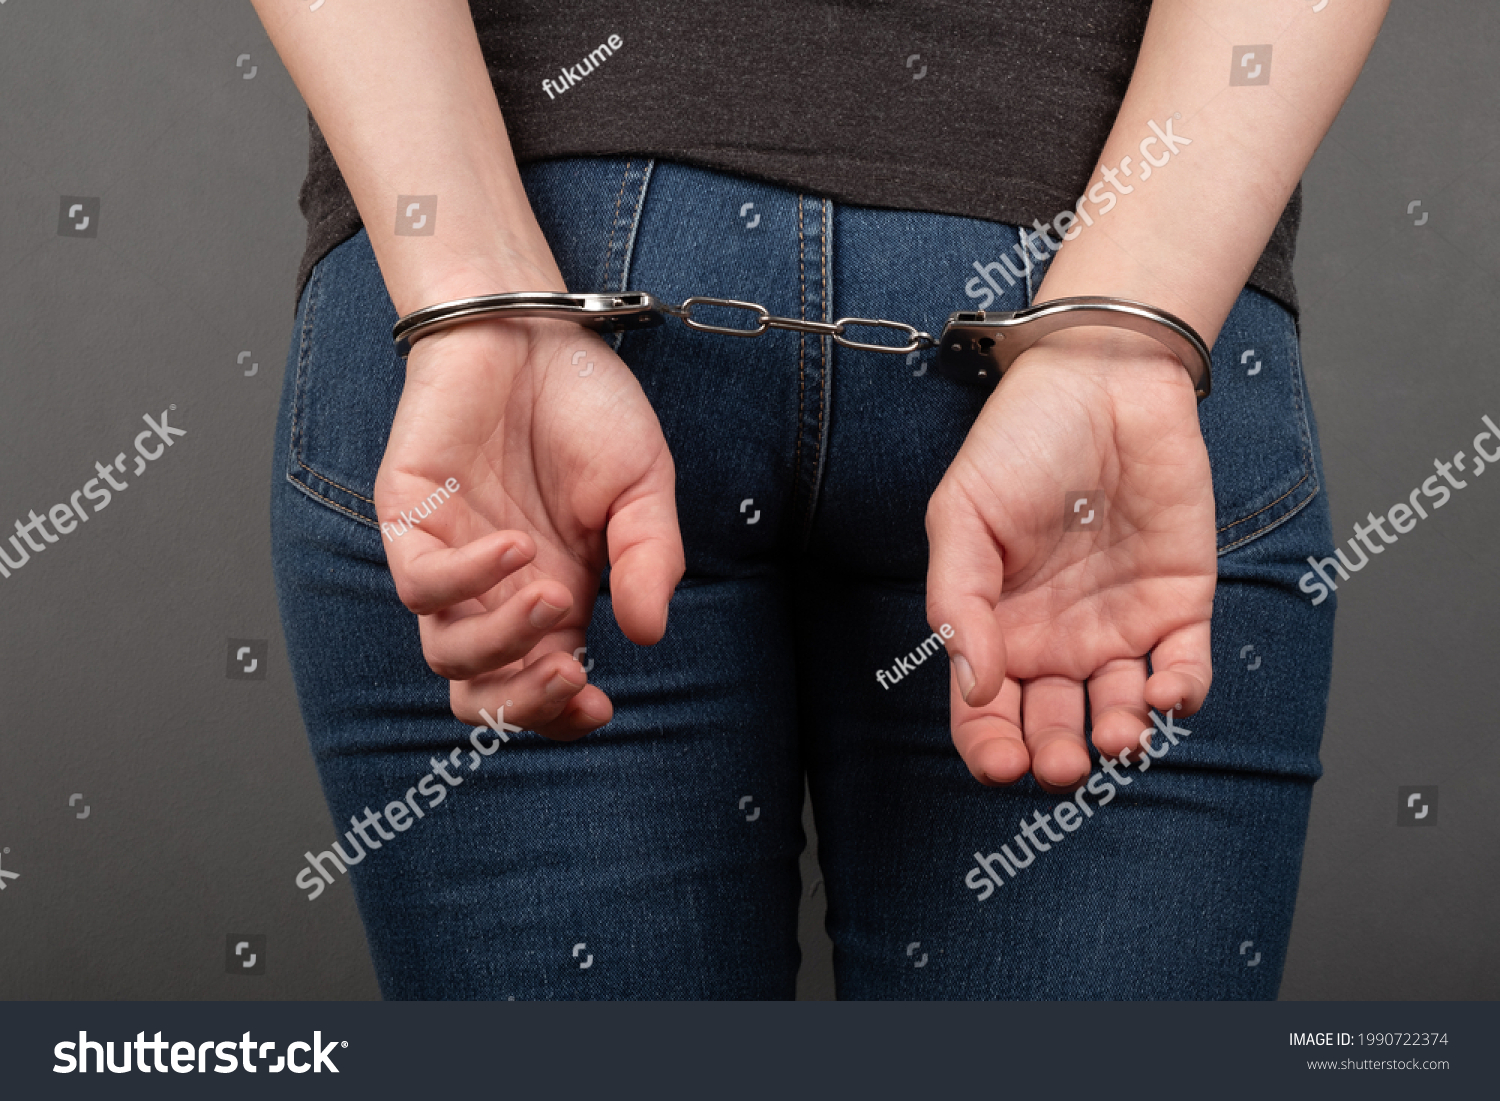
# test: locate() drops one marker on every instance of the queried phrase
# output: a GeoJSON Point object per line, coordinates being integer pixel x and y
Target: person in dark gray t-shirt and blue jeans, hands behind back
{"type": "Point", "coordinates": [811, 515]}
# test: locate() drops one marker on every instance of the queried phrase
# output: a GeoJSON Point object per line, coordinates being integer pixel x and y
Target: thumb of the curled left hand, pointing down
{"type": "Point", "coordinates": [646, 554]}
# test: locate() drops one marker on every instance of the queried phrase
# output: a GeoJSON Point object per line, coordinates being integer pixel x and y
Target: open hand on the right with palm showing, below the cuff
{"type": "Point", "coordinates": [1039, 608]}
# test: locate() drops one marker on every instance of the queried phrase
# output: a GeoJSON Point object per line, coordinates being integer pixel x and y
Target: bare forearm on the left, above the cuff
{"type": "Point", "coordinates": [401, 94]}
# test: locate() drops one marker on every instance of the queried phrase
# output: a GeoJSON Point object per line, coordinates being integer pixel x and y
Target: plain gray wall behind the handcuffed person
{"type": "Point", "coordinates": [200, 788]}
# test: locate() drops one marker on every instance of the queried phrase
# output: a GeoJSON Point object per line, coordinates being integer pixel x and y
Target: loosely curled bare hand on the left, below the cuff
{"type": "Point", "coordinates": [554, 448]}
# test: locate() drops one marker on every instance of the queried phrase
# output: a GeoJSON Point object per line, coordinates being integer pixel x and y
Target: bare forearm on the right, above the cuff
{"type": "Point", "coordinates": [1187, 238]}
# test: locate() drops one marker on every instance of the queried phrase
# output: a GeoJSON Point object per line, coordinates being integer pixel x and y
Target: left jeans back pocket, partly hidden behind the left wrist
{"type": "Point", "coordinates": [347, 376]}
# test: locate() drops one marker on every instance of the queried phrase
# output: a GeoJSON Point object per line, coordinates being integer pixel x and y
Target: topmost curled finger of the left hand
{"type": "Point", "coordinates": [431, 575]}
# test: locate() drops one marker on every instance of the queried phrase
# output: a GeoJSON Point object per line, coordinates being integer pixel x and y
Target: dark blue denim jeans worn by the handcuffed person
{"type": "Point", "coordinates": [659, 856]}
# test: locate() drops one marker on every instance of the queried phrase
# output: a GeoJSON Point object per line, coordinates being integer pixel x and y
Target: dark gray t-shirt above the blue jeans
{"type": "Point", "coordinates": [991, 109]}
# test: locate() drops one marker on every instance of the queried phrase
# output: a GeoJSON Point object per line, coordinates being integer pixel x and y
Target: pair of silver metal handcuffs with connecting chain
{"type": "Point", "coordinates": [976, 347]}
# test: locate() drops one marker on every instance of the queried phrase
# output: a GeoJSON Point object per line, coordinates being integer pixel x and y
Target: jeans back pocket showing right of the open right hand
{"type": "Point", "coordinates": [1255, 424]}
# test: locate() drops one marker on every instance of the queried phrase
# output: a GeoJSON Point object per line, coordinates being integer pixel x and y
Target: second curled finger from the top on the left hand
{"type": "Point", "coordinates": [461, 647]}
